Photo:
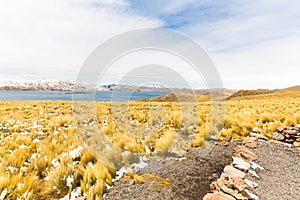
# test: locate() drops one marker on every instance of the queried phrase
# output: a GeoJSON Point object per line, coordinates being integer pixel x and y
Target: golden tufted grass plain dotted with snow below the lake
{"type": "Point", "coordinates": [41, 156]}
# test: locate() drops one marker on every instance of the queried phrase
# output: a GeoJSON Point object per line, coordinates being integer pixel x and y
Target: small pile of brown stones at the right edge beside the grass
{"type": "Point", "coordinates": [288, 134]}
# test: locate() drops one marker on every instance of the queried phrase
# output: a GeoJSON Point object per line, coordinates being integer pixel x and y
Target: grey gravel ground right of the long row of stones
{"type": "Point", "coordinates": [281, 177]}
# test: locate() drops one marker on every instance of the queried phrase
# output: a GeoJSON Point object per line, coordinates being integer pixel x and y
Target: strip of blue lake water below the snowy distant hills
{"type": "Point", "coordinates": [106, 96]}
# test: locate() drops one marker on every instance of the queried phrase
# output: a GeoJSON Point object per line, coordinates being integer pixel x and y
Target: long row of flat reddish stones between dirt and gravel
{"type": "Point", "coordinates": [232, 183]}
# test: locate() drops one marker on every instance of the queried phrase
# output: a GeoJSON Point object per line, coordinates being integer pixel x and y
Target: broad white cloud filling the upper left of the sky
{"type": "Point", "coordinates": [50, 39]}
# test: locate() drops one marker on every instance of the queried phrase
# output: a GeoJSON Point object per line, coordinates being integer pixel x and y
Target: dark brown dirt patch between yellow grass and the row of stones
{"type": "Point", "coordinates": [190, 178]}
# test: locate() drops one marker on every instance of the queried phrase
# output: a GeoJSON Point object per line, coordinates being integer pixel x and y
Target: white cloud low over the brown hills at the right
{"type": "Point", "coordinates": [272, 64]}
